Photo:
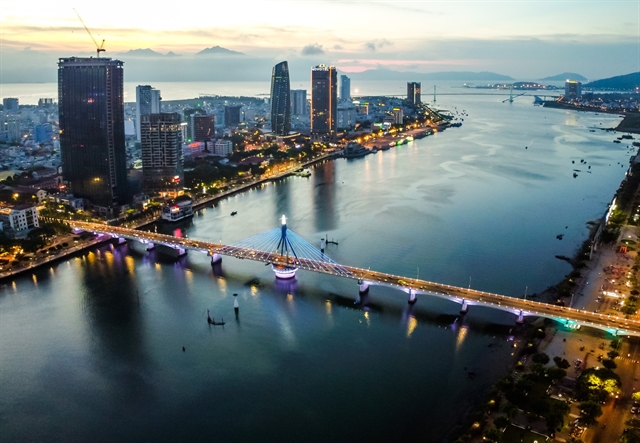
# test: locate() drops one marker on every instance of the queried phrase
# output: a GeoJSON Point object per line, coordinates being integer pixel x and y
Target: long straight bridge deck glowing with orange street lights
{"type": "Point", "coordinates": [454, 293]}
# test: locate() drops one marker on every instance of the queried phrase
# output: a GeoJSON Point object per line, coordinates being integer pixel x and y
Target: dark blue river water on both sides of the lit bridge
{"type": "Point", "coordinates": [91, 348]}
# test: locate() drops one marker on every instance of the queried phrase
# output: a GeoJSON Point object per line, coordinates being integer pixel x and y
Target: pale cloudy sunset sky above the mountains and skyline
{"type": "Point", "coordinates": [523, 39]}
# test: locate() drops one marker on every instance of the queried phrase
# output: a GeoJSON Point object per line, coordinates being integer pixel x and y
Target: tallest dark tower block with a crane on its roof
{"type": "Point", "coordinates": [91, 111]}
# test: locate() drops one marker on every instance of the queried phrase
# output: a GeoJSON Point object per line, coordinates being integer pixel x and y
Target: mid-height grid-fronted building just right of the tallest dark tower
{"type": "Point", "coordinates": [162, 165]}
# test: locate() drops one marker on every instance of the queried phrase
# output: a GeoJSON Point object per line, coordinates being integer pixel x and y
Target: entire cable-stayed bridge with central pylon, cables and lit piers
{"type": "Point", "coordinates": [287, 252]}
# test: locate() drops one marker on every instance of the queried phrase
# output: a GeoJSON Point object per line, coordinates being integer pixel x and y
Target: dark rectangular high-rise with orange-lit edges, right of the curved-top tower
{"type": "Point", "coordinates": [324, 100]}
